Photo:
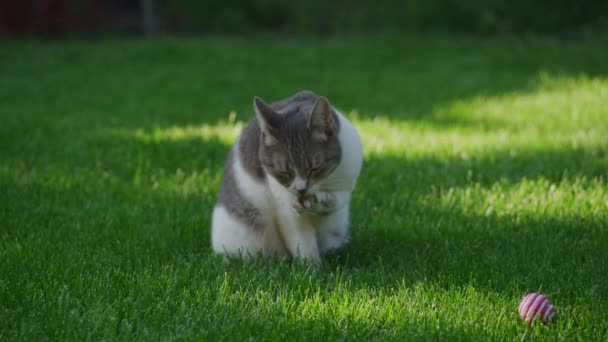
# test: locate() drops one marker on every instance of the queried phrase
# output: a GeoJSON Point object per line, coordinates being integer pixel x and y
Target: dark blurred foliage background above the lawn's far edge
{"type": "Point", "coordinates": [60, 18]}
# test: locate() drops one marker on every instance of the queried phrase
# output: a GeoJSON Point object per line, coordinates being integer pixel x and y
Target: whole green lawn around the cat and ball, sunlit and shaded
{"type": "Point", "coordinates": [485, 176]}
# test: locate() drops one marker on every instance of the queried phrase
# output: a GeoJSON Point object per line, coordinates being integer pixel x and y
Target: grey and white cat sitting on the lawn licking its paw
{"type": "Point", "coordinates": [287, 182]}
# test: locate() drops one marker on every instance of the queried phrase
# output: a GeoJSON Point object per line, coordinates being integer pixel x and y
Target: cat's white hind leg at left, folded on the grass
{"type": "Point", "coordinates": [230, 236]}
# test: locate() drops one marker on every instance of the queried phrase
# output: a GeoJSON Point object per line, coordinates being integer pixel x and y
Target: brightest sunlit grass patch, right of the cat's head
{"type": "Point", "coordinates": [558, 111]}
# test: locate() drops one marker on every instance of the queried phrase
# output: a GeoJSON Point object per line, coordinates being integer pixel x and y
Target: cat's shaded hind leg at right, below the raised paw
{"type": "Point", "coordinates": [332, 231]}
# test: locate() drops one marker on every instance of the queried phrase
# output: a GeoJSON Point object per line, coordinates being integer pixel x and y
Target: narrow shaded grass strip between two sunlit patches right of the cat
{"type": "Point", "coordinates": [418, 175]}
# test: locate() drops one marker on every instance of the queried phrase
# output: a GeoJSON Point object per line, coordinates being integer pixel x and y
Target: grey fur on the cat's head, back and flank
{"type": "Point", "coordinates": [288, 122]}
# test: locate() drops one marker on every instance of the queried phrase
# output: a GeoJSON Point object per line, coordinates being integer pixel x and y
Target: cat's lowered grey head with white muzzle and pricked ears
{"type": "Point", "coordinates": [299, 147]}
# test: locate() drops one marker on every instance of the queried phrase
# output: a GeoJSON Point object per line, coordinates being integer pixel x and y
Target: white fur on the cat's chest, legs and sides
{"type": "Point", "coordinates": [289, 233]}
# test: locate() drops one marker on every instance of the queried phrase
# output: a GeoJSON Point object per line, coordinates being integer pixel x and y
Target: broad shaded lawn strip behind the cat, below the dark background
{"type": "Point", "coordinates": [186, 82]}
